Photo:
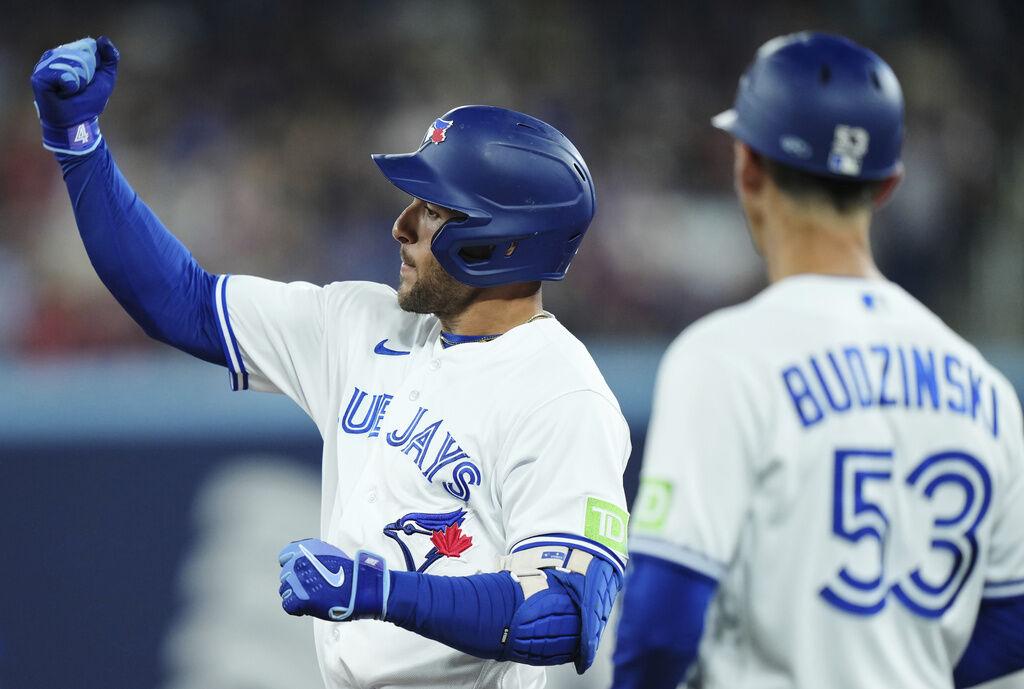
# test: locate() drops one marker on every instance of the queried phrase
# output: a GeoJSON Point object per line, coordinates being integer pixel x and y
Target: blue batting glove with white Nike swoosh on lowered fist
{"type": "Point", "coordinates": [321, 581]}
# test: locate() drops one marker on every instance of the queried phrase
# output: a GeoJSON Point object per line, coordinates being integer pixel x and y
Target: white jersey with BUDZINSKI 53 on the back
{"type": "Point", "coordinates": [851, 472]}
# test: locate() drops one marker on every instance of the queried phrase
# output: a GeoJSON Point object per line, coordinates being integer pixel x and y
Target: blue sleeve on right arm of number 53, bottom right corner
{"type": "Point", "coordinates": [997, 647]}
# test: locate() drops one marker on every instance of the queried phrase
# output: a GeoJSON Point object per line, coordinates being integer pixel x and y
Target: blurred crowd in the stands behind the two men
{"type": "Point", "coordinates": [248, 127]}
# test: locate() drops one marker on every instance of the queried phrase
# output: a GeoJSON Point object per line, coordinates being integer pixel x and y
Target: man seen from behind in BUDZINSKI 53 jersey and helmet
{"type": "Point", "coordinates": [833, 490]}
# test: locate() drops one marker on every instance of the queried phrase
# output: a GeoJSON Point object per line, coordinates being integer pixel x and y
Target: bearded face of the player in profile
{"type": "Point", "coordinates": [424, 286]}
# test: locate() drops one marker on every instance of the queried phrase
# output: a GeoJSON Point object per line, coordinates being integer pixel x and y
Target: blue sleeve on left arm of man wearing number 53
{"type": "Point", "coordinates": [660, 632]}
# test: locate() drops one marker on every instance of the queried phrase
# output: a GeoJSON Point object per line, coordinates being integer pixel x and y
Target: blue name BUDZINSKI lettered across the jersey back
{"type": "Point", "coordinates": [887, 376]}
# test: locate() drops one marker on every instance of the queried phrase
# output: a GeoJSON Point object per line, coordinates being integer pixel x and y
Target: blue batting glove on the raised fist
{"type": "Point", "coordinates": [72, 84]}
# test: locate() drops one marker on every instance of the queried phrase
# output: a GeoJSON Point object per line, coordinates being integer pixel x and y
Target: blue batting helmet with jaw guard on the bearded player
{"type": "Point", "coordinates": [525, 189]}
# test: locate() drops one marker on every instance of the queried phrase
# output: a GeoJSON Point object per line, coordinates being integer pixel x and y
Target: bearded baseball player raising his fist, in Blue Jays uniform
{"type": "Point", "coordinates": [473, 505]}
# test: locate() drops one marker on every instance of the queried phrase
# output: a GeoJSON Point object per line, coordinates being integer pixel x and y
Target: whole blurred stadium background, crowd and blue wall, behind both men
{"type": "Point", "coordinates": [143, 504]}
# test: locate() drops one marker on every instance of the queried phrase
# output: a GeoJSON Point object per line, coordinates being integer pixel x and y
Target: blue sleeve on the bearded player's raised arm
{"type": "Point", "coordinates": [147, 270]}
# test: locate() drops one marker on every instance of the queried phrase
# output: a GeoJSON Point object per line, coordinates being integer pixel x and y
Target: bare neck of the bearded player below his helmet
{"type": "Point", "coordinates": [496, 311]}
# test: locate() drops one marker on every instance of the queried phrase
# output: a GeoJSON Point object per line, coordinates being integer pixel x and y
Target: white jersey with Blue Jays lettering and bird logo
{"type": "Point", "coordinates": [441, 460]}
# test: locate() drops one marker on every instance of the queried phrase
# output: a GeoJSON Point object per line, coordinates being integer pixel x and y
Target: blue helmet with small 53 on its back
{"type": "Point", "coordinates": [821, 104]}
